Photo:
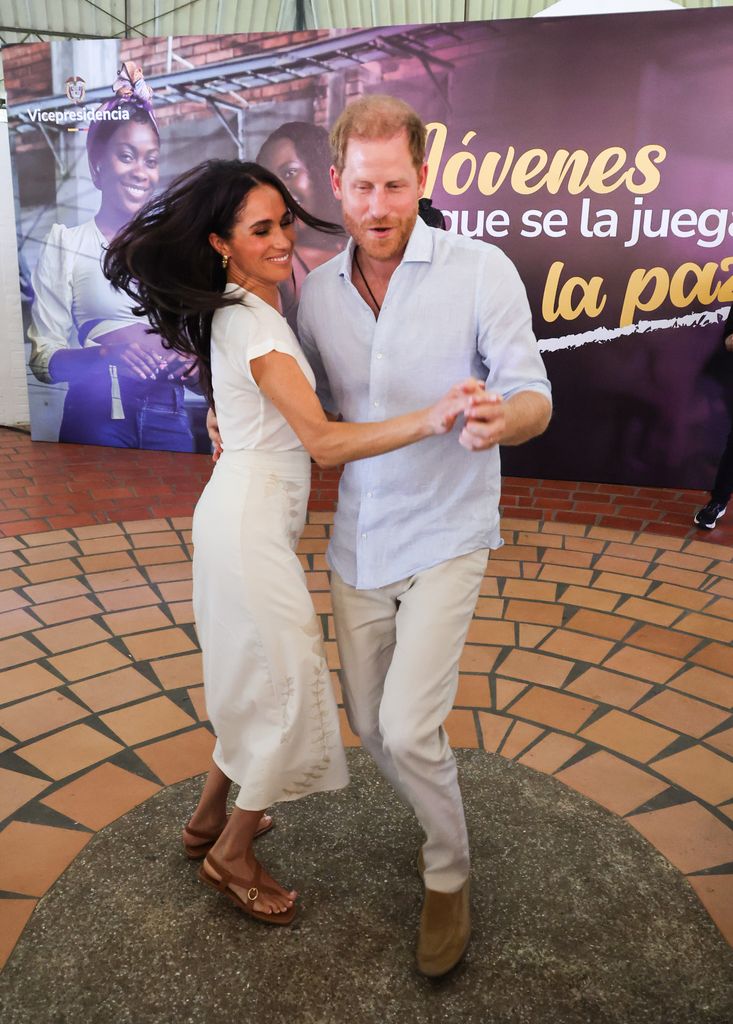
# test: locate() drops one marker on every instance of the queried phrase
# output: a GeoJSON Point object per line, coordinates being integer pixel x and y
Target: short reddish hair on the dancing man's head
{"type": "Point", "coordinates": [378, 117]}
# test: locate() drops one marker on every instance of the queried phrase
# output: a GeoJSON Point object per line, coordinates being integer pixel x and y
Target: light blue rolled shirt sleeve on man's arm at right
{"type": "Point", "coordinates": [506, 340]}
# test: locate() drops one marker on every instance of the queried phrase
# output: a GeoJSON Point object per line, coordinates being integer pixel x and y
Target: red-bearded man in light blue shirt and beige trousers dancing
{"type": "Point", "coordinates": [386, 325]}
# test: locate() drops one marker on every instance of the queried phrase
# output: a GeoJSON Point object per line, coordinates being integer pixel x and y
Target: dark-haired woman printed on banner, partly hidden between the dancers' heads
{"type": "Point", "coordinates": [299, 154]}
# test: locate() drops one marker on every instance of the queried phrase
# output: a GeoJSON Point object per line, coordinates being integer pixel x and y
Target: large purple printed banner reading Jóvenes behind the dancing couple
{"type": "Point", "coordinates": [596, 152]}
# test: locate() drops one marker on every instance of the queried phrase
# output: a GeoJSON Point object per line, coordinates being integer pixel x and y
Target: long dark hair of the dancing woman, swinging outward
{"type": "Point", "coordinates": [164, 262]}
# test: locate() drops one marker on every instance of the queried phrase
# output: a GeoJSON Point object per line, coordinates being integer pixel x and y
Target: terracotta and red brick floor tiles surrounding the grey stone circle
{"type": "Point", "coordinates": [600, 653]}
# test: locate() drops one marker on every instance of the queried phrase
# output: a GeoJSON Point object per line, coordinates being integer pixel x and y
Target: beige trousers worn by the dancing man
{"type": "Point", "coordinates": [400, 648]}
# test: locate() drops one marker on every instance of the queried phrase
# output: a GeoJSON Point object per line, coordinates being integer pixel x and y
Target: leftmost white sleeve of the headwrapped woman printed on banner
{"type": "Point", "coordinates": [52, 322]}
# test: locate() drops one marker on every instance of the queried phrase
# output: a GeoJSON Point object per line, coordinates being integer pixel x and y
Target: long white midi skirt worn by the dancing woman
{"type": "Point", "coordinates": [268, 687]}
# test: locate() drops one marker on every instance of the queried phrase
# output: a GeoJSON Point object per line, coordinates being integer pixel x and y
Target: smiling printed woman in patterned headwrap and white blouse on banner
{"type": "Point", "coordinates": [124, 389]}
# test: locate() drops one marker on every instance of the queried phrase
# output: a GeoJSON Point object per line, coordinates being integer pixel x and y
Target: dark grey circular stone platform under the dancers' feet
{"type": "Point", "coordinates": [577, 921]}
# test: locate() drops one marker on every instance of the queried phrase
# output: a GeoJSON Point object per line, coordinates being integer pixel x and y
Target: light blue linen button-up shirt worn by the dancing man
{"type": "Point", "coordinates": [455, 308]}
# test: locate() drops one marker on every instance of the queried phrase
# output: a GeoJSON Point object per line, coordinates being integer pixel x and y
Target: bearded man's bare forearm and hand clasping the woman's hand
{"type": "Point", "coordinates": [493, 420]}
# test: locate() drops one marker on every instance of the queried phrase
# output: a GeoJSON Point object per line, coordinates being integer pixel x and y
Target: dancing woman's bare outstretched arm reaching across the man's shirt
{"type": "Point", "coordinates": [281, 379]}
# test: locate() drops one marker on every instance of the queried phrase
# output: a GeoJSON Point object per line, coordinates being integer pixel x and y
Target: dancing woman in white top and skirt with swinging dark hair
{"type": "Point", "coordinates": [205, 261]}
